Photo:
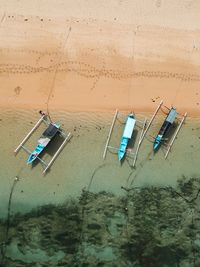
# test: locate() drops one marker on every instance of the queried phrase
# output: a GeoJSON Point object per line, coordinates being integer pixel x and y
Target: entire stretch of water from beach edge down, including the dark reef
{"type": "Point", "coordinates": [85, 211]}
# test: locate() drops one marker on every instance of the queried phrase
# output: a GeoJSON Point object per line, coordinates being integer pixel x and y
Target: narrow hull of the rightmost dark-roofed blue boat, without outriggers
{"type": "Point", "coordinates": [171, 116]}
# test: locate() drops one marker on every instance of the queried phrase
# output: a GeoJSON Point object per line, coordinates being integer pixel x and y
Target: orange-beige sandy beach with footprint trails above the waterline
{"type": "Point", "coordinates": [100, 55]}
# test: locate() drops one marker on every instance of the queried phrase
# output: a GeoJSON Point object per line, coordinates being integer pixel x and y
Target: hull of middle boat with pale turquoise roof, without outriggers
{"type": "Point", "coordinates": [127, 134]}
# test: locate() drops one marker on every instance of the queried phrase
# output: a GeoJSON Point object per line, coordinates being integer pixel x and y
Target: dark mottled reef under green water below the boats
{"type": "Point", "coordinates": [147, 226]}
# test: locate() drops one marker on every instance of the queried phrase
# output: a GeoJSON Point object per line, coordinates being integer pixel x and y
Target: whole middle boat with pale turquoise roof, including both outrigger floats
{"type": "Point", "coordinates": [130, 125]}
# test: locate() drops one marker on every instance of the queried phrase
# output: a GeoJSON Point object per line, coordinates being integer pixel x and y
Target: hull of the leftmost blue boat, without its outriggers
{"type": "Point", "coordinates": [43, 141]}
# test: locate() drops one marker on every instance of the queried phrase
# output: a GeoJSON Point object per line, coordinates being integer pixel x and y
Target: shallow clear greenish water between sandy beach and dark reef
{"type": "Point", "coordinates": [81, 166]}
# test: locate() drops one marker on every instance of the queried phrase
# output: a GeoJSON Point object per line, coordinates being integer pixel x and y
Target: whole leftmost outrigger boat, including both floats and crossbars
{"type": "Point", "coordinates": [43, 141]}
